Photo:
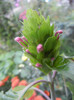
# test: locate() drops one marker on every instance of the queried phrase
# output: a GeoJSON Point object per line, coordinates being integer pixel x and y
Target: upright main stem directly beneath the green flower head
{"type": "Point", "coordinates": [52, 87]}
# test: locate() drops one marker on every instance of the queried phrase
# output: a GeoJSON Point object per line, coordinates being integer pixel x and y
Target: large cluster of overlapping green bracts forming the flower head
{"type": "Point", "coordinates": [38, 30]}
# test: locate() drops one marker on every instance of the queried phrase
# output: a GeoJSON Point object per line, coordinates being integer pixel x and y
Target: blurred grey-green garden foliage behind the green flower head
{"type": "Point", "coordinates": [12, 61]}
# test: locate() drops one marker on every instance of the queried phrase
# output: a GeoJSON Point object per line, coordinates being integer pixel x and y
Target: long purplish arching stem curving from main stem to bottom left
{"type": "Point", "coordinates": [30, 85]}
